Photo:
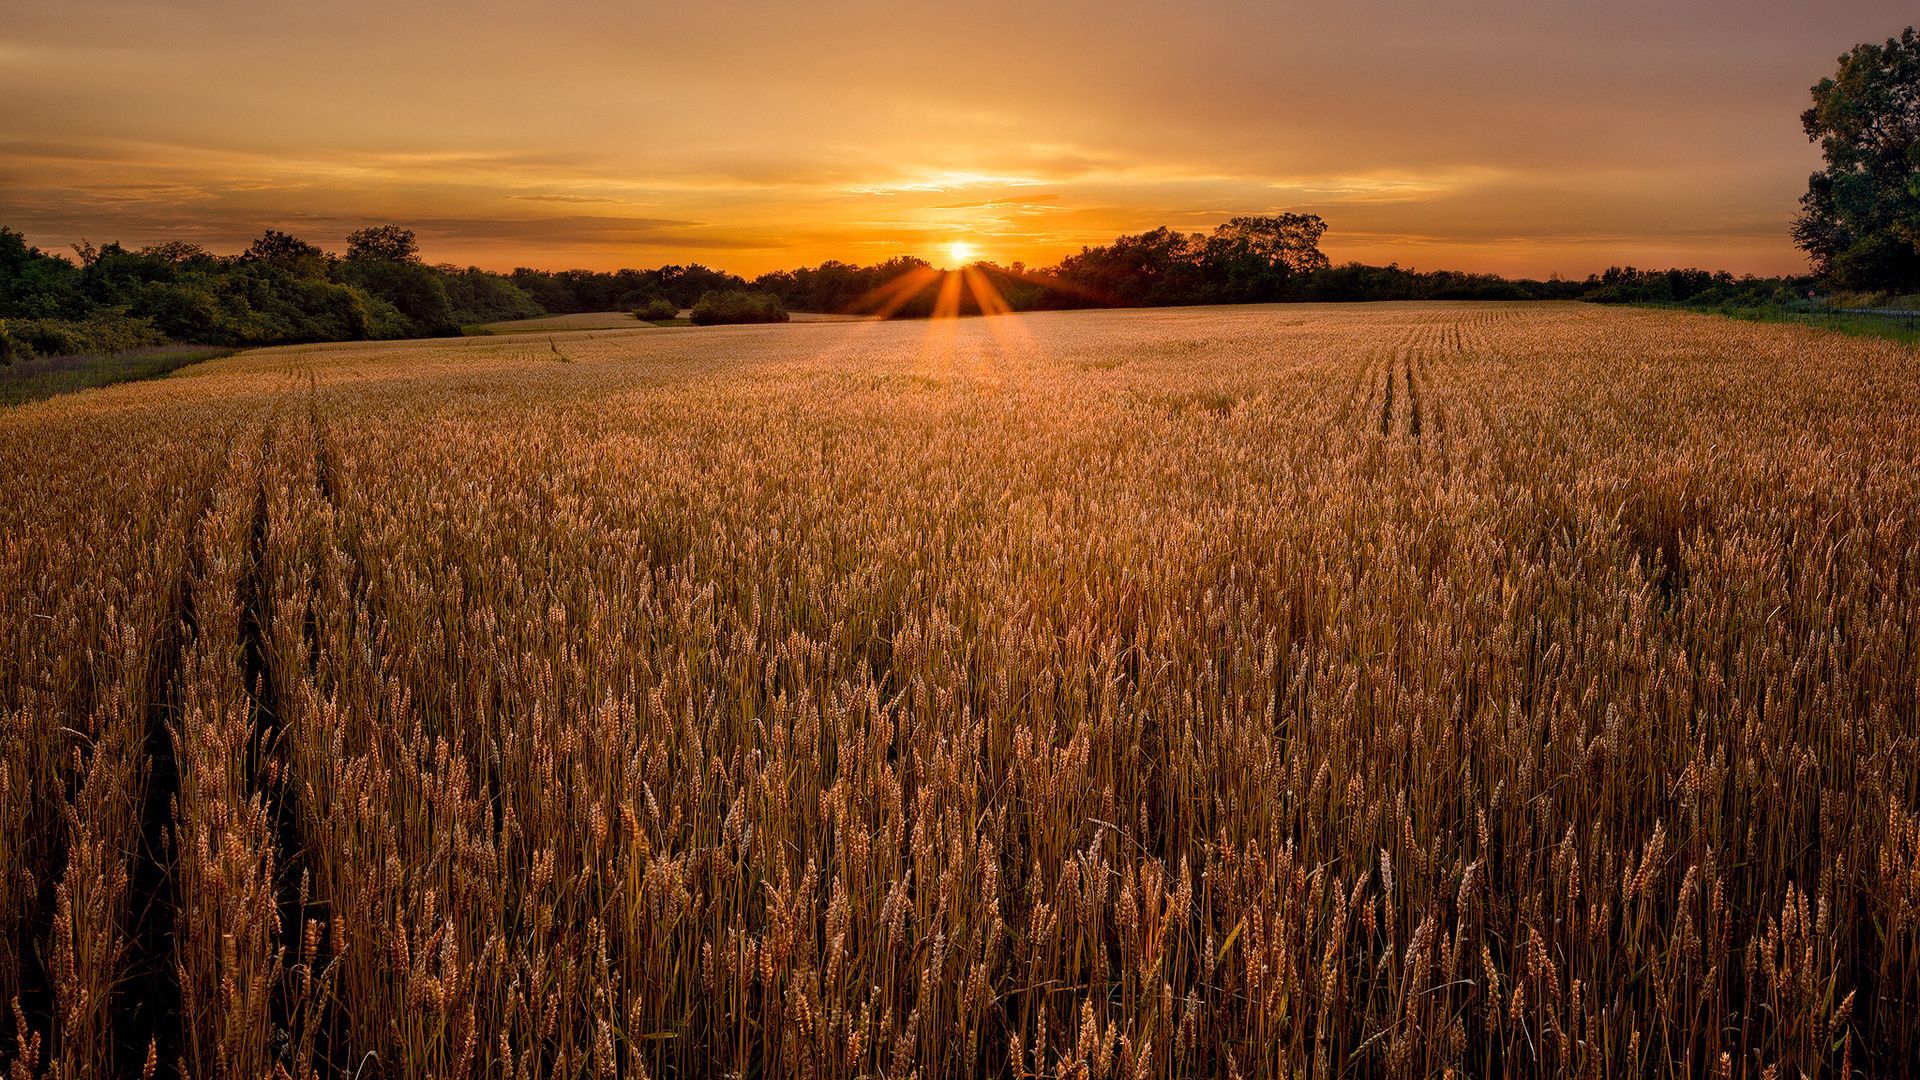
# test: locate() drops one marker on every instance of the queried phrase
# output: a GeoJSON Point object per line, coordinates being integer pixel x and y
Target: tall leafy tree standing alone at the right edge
{"type": "Point", "coordinates": [1861, 218]}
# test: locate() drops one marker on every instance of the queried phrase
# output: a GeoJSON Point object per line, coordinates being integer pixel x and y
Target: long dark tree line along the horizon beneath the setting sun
{"type": "Point", "coordinates": [283, 289]}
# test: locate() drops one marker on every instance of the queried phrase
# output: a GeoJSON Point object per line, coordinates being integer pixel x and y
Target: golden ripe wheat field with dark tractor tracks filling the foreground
{"type": "Point", "coordinates": [1380, 691]}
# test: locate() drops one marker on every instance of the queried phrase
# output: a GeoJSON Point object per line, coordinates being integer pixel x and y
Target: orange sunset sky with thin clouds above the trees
{"type": "Point", "coordinates": [1518, 137]}
